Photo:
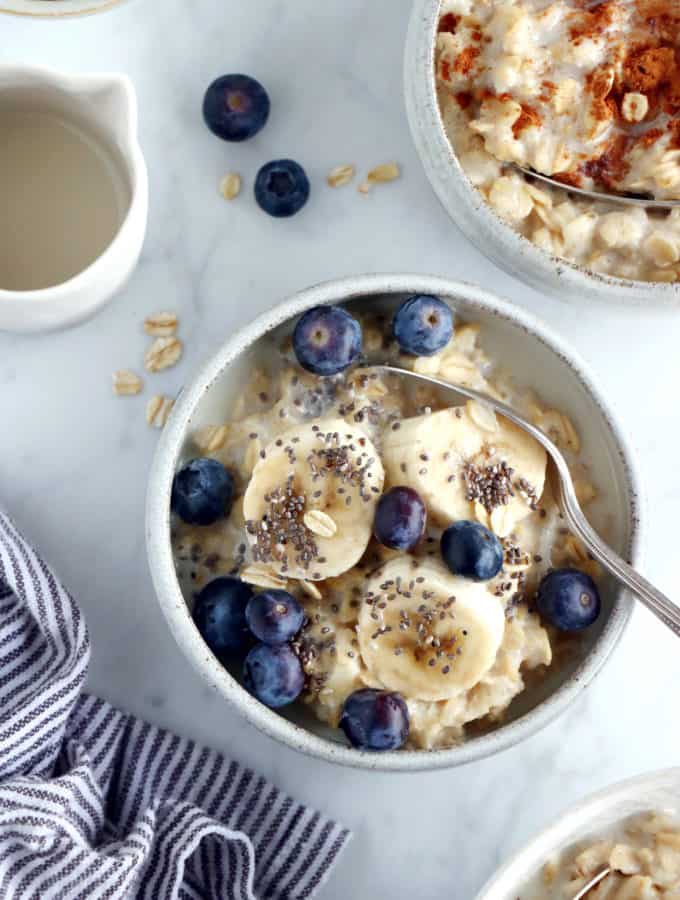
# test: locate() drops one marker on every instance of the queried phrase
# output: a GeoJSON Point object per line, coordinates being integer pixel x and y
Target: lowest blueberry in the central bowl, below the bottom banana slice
{"type": "Point", "coordinates": [375, 720]}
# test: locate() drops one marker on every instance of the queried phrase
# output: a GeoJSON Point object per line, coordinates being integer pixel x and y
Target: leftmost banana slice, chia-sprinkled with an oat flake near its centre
{"type": "Point", "coordinates": [310, 502]}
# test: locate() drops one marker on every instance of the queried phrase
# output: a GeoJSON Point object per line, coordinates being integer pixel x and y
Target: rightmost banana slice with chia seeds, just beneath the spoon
{"type": "Point", "coordinates": [457, 453]}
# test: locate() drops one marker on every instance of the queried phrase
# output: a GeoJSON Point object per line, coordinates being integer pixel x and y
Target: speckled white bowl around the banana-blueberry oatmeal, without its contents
{"type": "Point", "coordinates": [537, 357]}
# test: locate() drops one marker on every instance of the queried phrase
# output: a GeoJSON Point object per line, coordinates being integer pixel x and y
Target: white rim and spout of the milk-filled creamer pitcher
{"type": "Point", "coordinates": [132, 152]}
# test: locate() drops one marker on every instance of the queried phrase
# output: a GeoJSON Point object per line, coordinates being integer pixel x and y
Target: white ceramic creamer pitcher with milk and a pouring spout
{"type": "Point", "coordinates": [99, 112]}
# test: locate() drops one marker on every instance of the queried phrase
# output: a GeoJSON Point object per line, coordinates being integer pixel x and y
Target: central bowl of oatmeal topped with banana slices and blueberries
{"type": "Point", "coordinates": [449, 652]}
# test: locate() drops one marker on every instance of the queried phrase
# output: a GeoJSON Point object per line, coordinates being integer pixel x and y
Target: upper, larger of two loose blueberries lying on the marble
{"type": "Point", "coordinates": [235, 107]}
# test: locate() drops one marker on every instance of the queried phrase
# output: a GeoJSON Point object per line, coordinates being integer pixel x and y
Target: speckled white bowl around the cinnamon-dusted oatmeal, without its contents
{"type": "Point", "coordinates": [466, 205]}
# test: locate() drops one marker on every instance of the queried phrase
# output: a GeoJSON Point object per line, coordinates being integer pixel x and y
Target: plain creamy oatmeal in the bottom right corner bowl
{"type": "Point", "coordinates": [643, 854]}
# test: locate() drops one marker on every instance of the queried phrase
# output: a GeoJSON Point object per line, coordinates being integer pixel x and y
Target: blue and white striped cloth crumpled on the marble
{"type": "Point", "coordinates": [96, 804]}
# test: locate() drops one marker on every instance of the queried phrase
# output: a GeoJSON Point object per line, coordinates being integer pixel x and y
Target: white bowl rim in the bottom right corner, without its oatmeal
{"type": "Point", "coordinates": [592, 817]}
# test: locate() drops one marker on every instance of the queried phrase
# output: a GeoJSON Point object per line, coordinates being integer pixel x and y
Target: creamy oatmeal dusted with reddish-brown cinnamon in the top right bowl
{"type": "Point", "coordinates": [588, 93]}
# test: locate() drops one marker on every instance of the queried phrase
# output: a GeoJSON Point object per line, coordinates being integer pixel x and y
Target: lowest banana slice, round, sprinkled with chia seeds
{"type": "Point", "coordinates": [427, 633]}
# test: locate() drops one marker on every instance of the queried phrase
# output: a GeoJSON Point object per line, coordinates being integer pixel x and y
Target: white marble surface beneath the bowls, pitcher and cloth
{"type": "Point", "coordinates": [74, 459]}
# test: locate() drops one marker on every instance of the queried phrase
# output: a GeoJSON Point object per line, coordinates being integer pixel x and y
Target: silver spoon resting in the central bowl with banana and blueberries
{"type": "Point", "coordinates": [652, 598]}
